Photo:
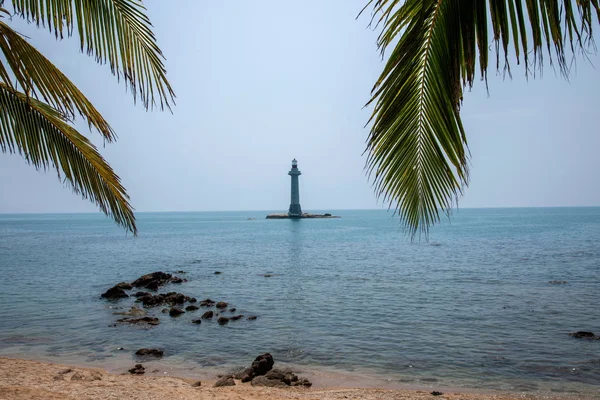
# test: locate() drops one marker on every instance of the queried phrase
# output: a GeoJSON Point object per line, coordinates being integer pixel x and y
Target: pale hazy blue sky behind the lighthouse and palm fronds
{"type": "Point", "coordinates": [260, 83]}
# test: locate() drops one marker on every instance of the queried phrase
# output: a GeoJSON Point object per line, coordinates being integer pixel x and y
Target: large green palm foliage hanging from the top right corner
{"type": "Point", "coordinates": [417, 147]}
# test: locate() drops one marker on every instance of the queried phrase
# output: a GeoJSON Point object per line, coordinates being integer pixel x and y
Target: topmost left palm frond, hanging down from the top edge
{"type": "Point", "coordinates": [114, 31]}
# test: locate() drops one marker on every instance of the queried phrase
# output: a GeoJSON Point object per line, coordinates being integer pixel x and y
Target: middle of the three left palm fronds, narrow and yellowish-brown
{"type": "Point", "coordinates": [38, 77]}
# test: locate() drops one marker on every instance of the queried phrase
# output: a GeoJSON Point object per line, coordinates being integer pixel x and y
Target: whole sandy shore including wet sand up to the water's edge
{"type": "Point", "coordinates": [32, 379]}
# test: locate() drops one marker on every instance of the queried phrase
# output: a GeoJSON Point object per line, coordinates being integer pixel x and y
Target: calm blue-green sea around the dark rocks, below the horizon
{"type": "Point", "coordinates": [473, 307]}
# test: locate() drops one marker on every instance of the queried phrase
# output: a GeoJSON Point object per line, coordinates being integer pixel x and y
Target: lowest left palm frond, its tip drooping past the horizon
{"type": "Point", "coordinates": [44, 137]}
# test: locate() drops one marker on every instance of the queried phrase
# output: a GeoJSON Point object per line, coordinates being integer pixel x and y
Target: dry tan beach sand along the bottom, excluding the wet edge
{"type": "Point", "coordinates": [34, 380]}
